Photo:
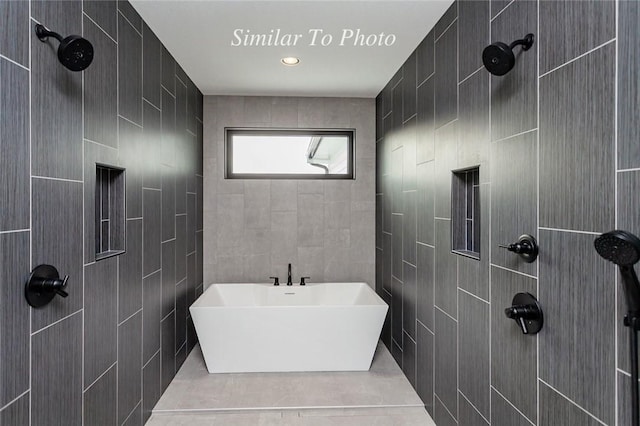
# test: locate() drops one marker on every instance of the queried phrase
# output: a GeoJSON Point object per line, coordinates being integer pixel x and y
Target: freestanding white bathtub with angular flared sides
{"type": "Point", "coordinates": [265, 328]}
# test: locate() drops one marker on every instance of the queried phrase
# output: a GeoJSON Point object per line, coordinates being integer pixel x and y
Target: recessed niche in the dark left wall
{"type": "Point", "coordinates": [110, 212]}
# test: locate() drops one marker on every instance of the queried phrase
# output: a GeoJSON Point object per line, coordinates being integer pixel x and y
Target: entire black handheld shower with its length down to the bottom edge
{"type": "Point", "coordinates": [623, 249]}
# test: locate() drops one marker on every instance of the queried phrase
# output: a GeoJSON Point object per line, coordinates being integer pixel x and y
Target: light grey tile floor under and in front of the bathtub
{"type": "Point", "coordinates": [381, 396]}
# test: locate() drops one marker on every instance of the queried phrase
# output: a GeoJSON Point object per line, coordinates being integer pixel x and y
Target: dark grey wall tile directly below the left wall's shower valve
{"type": "Point", "coordinates": [56, 359]}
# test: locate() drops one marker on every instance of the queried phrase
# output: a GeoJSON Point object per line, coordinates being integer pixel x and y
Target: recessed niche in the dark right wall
{"type": "Point", "coordinates": [465, 212]}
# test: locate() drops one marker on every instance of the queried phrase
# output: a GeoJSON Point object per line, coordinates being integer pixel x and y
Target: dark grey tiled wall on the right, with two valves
{"type": "Point", "coordinates": [556, 142]}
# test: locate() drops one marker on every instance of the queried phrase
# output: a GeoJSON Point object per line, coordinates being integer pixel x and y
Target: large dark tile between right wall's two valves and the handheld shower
{"type": "Point", "coordinates": [578, 290]}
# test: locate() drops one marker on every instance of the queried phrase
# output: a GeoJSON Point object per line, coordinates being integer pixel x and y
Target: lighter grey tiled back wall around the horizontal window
{"type": "Point", "coordinates": [324, 228]}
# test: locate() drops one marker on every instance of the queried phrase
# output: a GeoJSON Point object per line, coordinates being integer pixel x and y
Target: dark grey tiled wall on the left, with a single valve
{"type": "Point", "coordinates": [104, 354]}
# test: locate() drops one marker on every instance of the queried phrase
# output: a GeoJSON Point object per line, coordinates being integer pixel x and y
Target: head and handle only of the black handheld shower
{"type": "Point", "coordinates": [623, 249]}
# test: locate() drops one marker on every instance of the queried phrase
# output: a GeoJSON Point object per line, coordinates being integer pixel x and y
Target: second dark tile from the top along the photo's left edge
{"type": "Point", "coordinates": [14, 142]}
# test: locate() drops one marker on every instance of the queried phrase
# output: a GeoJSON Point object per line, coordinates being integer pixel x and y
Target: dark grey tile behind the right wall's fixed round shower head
{"type": "Point", "coordinates": [514, 96]}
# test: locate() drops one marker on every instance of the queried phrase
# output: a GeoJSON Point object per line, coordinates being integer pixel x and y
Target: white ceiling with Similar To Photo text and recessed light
{"type": "Point", "coordinates": [199, 34]}
